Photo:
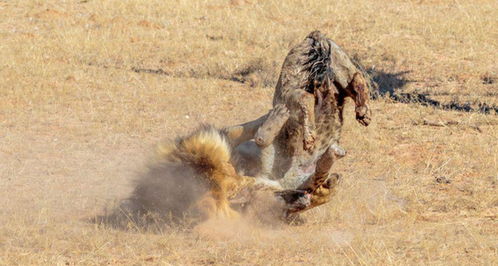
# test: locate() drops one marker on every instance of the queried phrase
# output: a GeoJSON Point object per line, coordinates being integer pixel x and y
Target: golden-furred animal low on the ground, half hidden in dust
{"type": "Point", "coordinates": [196, 174]}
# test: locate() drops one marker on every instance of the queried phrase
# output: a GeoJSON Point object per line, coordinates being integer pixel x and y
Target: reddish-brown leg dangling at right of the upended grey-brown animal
{"type": "Point", "coordinates": [358, 90]}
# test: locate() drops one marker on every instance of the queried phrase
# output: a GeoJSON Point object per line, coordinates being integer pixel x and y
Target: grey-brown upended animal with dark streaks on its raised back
{"type": "Point", "coordinates": [296, 143]}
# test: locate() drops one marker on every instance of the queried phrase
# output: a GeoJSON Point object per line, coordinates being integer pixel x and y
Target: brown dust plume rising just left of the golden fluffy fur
{"type": "Point", "coordinates": [163, 195]}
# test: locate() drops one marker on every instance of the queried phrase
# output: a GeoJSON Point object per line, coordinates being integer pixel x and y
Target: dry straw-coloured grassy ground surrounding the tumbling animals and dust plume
{"type": "Point", "coordinates": [88, 87]}
